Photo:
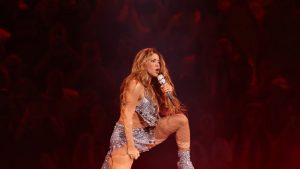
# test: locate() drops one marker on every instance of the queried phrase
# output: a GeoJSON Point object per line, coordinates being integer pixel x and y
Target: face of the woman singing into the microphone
{"type": "Point", "coordinates": [153, 65]}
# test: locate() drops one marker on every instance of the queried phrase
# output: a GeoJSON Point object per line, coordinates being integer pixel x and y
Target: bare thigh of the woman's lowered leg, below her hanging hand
{"type": "Point", "coordinates": [120, 159]}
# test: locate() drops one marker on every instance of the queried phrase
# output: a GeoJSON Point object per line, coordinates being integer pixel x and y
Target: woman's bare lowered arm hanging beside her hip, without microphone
{"type": "Point", "coordinates": [129, 103]}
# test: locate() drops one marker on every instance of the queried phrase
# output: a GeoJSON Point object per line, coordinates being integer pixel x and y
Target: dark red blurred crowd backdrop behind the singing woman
{"type": "Point", "coordinates": [234, 63]}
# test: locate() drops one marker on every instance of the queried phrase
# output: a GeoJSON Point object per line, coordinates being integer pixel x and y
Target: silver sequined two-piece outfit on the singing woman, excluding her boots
{"type": "Point", "coordinates": [142, 137]}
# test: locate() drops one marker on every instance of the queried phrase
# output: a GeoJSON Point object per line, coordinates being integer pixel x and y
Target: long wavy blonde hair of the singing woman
{"type": "Point", "coordinates": [139, 73]}
